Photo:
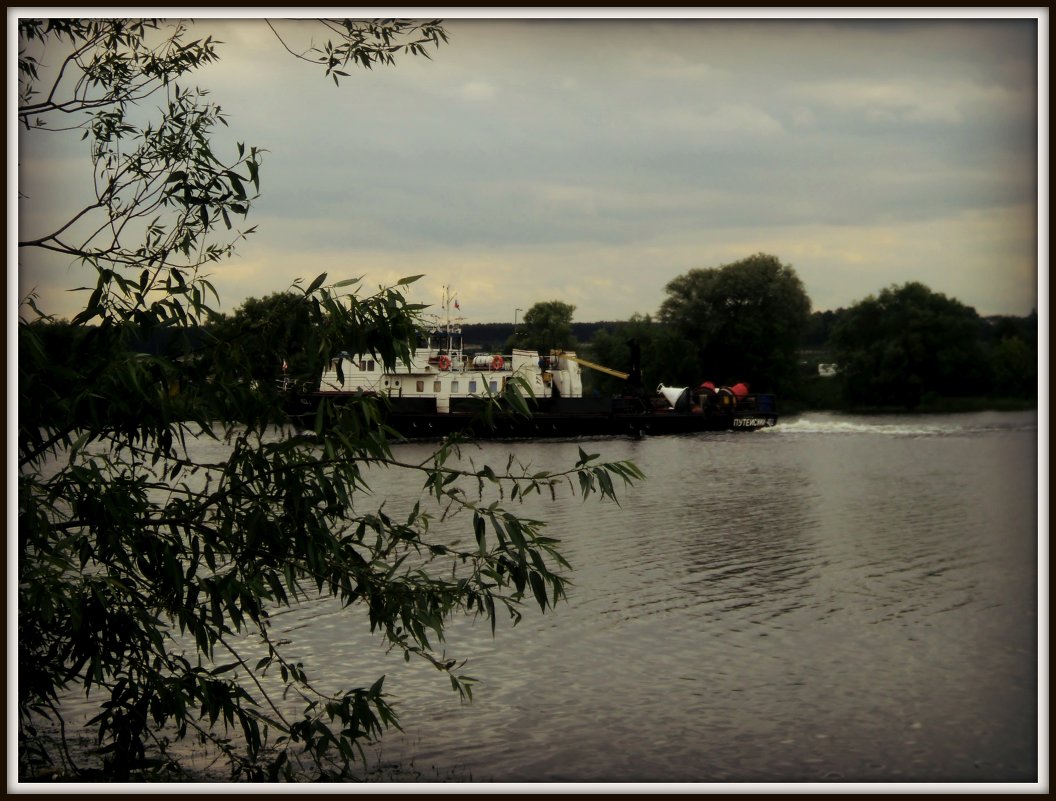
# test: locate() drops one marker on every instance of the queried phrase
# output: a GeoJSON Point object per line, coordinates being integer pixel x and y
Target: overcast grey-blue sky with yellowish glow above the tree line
{"type": "Point", "coordinates": [593, 161]}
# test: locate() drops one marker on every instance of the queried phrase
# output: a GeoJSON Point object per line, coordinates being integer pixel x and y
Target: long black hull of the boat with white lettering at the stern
{"type": "Point", "coordinates": [560, 419]}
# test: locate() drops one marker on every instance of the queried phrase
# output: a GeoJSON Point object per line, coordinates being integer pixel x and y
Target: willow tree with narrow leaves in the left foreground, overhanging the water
{"type": "Point", "coordinates": [149, 567]}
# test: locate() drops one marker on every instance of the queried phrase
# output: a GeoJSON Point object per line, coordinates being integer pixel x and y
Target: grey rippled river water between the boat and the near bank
{"type": "Point", "coordinates": [836, 600]}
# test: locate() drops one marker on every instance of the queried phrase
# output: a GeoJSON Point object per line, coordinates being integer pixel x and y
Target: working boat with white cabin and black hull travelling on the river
{"type": "Point", "coordinates": [442, 392]}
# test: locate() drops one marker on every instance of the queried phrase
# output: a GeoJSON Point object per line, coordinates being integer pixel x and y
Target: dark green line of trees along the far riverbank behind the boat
{"type": "Point", "coordinates": [904, 348]}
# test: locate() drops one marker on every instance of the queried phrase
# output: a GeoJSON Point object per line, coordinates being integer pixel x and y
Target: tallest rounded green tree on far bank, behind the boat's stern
{"type": "Point", "coordinates": [746, 319]}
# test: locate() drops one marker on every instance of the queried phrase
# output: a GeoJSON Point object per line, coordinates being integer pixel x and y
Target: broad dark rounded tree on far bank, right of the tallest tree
{"type": "Point", "coordinates": [907, 341]}
